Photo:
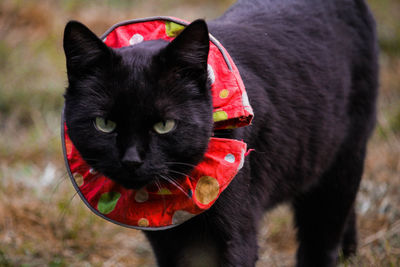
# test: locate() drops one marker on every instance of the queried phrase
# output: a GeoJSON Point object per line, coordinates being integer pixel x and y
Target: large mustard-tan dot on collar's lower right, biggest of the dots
{"type": "Point", "coordinates": [207, 189]}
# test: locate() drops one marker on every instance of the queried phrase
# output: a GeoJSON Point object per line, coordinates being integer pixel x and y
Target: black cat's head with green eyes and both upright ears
{"type": "Point", "coordinates": [142, 112]}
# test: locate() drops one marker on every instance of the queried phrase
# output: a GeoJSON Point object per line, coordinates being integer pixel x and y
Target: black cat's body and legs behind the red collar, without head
{"type": "Point", "coordinates": [310, 71]}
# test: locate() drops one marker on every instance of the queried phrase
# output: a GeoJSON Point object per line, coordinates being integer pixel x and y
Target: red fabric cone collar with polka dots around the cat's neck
{"type": "Point", "coordinates": [160, 207]}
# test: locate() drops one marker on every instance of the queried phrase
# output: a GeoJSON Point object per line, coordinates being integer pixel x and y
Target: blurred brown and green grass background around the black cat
{"type": "Point", "coordinates": [44, 223]}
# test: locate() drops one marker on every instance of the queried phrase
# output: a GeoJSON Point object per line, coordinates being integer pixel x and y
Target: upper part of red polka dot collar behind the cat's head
{"type": "Point", "coordinates": [231, 105]}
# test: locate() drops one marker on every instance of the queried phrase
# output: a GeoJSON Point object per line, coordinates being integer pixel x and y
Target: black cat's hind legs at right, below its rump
{"type": "Point", "coordinates": [321, 214]}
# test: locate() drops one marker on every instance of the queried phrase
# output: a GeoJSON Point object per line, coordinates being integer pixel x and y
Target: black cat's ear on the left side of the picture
{"type": "Point", "coordinates": [83, 49]}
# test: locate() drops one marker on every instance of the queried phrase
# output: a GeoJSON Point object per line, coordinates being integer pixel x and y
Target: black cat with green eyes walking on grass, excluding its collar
{"type": "Point", "coordinates": [310, 70]}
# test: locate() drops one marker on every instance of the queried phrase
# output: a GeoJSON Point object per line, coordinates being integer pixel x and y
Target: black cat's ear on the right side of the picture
{"type": "Point", "coordinates": [190, 48]}
